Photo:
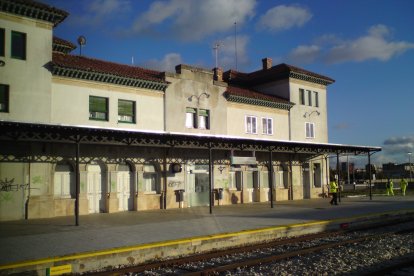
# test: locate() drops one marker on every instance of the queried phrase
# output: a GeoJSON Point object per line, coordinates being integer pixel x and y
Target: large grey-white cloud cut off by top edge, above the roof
{"type": "Point", "coordinates": [192, 20]}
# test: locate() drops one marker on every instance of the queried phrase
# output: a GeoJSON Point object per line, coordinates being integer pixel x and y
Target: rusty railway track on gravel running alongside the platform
{"type": "Point", "coordinates": [238, 259]}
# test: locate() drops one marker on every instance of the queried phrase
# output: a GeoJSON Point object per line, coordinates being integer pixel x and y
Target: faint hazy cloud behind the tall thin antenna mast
{"type": "Point", "coordinates": [226, 52]}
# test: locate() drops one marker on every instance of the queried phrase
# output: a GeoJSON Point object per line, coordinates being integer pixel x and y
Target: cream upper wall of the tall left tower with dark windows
{"type": "Point", "coordinates": [29, 80]}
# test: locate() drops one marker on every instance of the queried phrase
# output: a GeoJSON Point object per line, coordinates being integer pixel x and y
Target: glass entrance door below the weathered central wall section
{"type": "Point", "coordinates": [198, 186]}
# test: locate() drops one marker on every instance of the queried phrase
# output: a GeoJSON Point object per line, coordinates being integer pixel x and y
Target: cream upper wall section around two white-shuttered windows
{"type": "Point", "coordinates": [236, 117]}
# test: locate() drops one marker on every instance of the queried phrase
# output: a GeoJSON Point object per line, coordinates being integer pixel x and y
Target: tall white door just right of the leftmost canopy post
{"type": "Point", "coordinates": [94, 188]}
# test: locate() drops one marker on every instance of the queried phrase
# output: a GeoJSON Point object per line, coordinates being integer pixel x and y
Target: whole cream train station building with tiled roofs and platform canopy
{"type": "Point", "coordinates": [80, 135]}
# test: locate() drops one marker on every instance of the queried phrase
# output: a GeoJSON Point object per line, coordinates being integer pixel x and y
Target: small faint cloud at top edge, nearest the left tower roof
{"type": "Point", "coordinates": [101, 11]}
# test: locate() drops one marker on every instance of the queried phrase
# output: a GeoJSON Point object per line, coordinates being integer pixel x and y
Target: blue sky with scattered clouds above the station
{"type": "Point", "coordinates": [366, 46]}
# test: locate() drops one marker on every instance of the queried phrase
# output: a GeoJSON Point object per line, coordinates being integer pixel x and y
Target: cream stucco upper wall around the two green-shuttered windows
{"type": "Point", "coordinates": [70, 104]}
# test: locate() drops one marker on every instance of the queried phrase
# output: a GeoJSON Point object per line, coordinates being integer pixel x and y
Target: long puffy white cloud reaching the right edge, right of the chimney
{"type": "Point", "coordinates": [376, 44]}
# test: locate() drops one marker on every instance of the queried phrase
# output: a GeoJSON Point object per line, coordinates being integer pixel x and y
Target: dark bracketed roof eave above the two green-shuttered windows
{"type": "Point", "coordinates": [107, 78]}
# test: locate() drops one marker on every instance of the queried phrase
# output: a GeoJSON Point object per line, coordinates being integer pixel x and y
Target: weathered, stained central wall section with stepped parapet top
{"type": "Point", "coordinates": [186, 90]}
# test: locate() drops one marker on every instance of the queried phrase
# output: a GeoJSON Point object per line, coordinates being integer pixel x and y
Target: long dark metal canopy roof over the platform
{"type": "Point", "coordinates": [32, 132]}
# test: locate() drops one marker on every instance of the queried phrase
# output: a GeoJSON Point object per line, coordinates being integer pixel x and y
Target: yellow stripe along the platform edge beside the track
{"type": "Point", "coordinates": [194, 239]}
